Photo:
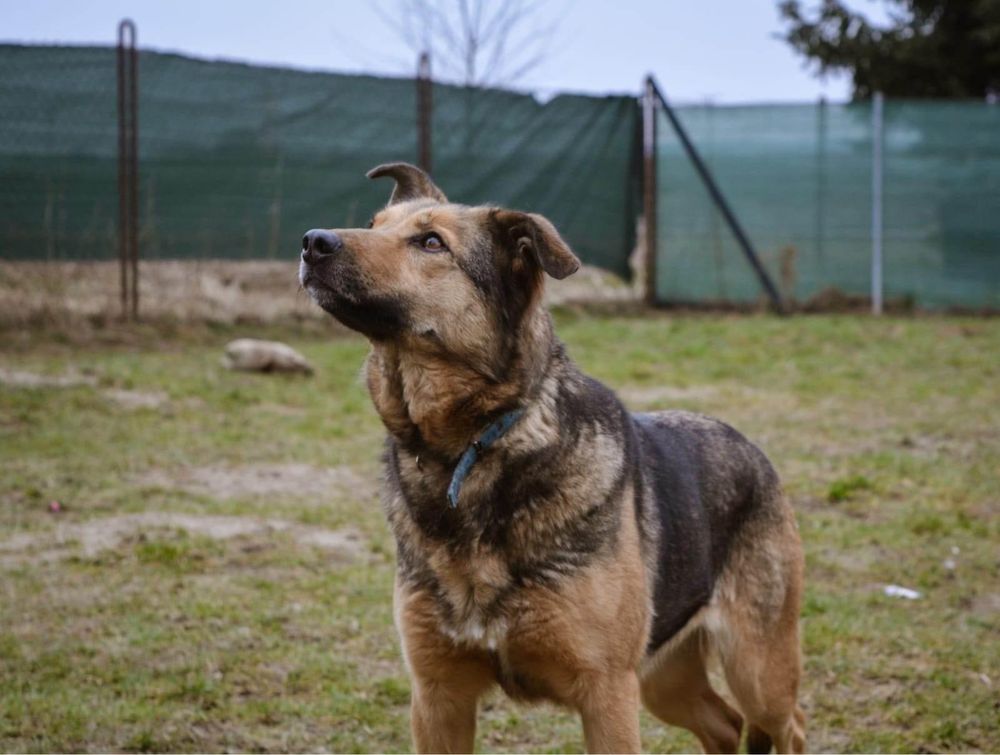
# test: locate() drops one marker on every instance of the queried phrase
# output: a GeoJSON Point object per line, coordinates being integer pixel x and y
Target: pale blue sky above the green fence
{"type": "Point", "coordinates": [722, 51]}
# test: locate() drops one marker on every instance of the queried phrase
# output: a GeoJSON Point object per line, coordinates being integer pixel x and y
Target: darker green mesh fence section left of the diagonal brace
{"type": "Point", "coordinates": [237, 161]}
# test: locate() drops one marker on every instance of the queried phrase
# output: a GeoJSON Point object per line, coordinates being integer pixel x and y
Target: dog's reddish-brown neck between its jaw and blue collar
{"type": "Point", "coordinates": [431, 400]}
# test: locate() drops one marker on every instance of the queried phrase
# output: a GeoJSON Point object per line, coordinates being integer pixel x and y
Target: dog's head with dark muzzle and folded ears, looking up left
{"type": "Point", "coordinates": [429, 272]}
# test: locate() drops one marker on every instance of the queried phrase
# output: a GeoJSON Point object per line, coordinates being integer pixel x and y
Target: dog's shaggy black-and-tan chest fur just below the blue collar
{"type": "Point", "coordinates": [542, 503]}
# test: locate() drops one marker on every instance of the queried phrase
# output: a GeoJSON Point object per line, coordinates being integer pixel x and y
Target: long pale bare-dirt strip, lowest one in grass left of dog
{"type": "Point", "coordinates": [96, 535]}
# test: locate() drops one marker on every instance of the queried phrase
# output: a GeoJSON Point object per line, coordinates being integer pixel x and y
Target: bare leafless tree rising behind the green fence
{"type": "Point", "coordinates": [473, 42]}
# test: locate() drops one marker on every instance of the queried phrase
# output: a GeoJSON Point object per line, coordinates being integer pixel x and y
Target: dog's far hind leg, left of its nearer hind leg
{"type": "Point", "coordinates": [676, 689]}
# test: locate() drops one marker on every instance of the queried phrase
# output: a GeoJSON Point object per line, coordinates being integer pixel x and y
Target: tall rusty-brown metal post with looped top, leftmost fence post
{"type": "Point", "coordinates": [128, 168]}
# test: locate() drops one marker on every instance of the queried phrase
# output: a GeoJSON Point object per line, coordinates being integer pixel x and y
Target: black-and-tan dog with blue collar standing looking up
{"type": "Point", "coordinates": [549, 541]}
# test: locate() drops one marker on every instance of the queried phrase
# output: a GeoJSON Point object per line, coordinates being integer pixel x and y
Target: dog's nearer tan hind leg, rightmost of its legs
{"type": "Point", "coordinates": [757, 637]}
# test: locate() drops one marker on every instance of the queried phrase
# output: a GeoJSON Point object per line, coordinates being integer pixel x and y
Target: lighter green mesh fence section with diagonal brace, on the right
{"type": "Point", "coordinates": [799, 179]}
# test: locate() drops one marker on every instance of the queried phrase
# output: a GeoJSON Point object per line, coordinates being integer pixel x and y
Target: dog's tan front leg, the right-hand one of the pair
{"type": "Point", "coordinates": [610, 712]}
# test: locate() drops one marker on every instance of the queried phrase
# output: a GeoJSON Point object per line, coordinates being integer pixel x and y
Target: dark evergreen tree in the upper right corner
{"type": "Point", "coordinates": [931, 48]}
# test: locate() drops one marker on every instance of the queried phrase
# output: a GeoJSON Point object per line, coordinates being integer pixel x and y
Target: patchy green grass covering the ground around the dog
{"type": "Point", "coordinates": [887, 433]}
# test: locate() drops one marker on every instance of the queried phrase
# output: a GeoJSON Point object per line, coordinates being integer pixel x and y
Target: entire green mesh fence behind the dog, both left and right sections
{"type": "Point", "coordinates": [236, 161]}
